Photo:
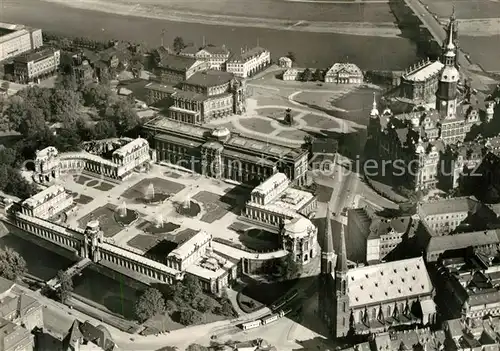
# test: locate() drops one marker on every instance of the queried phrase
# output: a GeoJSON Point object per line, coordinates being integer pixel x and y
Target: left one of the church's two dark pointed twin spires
{"type": "Point", "coordinates": [326, 280]}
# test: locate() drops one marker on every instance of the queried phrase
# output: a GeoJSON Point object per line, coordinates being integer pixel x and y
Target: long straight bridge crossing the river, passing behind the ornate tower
{"type": "Point", "coordinates": [439, 34]}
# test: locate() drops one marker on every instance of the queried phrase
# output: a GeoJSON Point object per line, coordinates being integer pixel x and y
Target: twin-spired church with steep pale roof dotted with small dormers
{"type": "Point", "coordinates": [373, 298]}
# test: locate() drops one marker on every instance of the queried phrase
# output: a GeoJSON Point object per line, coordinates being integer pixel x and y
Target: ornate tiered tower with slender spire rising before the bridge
{"type": "Point", "coordinates": [447, 92]}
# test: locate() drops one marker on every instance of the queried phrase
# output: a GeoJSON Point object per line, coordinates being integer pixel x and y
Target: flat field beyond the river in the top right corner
{"type": "Point", "coordinates": [474, 9]}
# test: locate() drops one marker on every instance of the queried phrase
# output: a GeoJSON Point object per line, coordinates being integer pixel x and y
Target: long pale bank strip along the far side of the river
{"type": "Point", "coordinates": [128, 8]}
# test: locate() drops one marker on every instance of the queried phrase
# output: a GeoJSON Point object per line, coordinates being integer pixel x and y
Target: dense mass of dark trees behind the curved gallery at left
{"type": "Point", "coordinates": [34, 110]}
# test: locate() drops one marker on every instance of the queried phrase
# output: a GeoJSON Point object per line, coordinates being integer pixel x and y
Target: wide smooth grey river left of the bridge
{"type": "Point", "coordinates": [311, 49]}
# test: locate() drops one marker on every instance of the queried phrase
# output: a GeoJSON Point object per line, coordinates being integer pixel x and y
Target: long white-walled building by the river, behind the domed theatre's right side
{"type": "Point", "coordinates": [248, 62]}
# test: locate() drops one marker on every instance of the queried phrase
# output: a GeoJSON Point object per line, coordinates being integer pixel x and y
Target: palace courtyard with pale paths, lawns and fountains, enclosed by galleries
{"type": "Point", "coordinates": [129, 219]}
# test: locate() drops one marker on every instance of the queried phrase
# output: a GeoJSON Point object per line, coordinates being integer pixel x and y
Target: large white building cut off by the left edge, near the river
{"type": "Point", "coordinates": [16, 39]}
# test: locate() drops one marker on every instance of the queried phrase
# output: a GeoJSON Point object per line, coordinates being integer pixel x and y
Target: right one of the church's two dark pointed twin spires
{"type": "Point", "coordinates": [341, 304]}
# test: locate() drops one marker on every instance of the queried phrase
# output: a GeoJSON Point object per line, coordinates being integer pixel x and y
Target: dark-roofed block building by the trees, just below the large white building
{"type": "Point", "coordinates": [31, 66]}
